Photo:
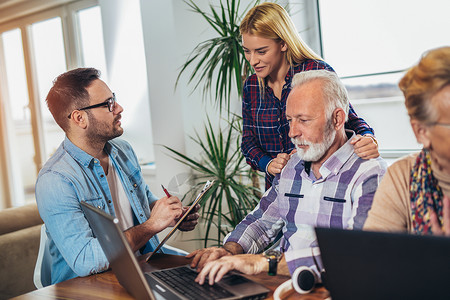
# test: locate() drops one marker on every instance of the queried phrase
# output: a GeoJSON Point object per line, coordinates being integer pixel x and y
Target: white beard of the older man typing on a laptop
{"type": "Point", "coordinates": [315, 151]}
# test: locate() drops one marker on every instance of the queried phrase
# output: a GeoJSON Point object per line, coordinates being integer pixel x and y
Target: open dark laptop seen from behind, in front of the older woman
{"type": "Point", "coordinates": [378, 265]}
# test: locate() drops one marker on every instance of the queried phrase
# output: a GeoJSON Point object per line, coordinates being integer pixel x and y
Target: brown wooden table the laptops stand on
{"type": "Point", "coordinates": [106, 286]}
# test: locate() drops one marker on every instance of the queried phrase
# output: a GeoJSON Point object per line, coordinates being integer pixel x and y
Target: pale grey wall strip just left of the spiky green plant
{"type": "Point", "coordinates": [162, 48]}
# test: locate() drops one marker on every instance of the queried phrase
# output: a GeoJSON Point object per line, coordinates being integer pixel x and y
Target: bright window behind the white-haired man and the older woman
{"type": "Point", "coordinates": [370, 44]}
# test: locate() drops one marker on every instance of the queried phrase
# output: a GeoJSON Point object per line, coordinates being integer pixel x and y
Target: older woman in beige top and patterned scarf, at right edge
{"type": "Point", "coordinates": [414, 195]}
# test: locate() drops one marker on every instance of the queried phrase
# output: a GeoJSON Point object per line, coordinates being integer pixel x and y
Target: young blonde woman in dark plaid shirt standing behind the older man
{"type": "Point", "coordinates": [276, 52]}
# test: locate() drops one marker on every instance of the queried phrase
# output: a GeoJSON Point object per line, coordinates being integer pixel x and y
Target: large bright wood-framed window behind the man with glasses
{"type": "Point", "coordinates": [30, 134]}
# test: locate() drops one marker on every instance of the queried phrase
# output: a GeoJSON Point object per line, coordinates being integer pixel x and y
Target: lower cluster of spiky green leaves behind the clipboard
{"type": "Point", "coordinates": [232, 195]}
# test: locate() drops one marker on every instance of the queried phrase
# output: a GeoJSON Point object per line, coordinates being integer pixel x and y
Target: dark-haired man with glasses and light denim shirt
{"type": "Point", "coordinates": [91, 165]}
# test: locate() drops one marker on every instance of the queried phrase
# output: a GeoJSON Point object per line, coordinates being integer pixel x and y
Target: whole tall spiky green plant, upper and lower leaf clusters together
{"type": "Point", "coordinates": [219, 67]}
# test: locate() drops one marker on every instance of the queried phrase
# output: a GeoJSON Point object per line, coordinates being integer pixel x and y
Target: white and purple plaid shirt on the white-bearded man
{"type": "Point", "coordinates": [297, 202]}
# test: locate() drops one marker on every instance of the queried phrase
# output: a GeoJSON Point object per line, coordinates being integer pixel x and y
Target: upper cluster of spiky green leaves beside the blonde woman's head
{"type": "Point", "coordinates": [219, 63]}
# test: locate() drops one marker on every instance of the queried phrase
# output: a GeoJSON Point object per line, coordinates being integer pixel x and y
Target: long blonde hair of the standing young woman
{"type": "Point", "coordinates": [271, 21]}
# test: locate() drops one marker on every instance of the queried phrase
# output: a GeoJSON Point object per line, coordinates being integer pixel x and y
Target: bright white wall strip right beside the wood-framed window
{"type": "Point", "coordinates": [127, 72]}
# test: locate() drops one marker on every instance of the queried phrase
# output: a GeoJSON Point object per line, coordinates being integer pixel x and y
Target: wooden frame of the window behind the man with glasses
{"type": "Point", "coordinates": [9, 190]}
